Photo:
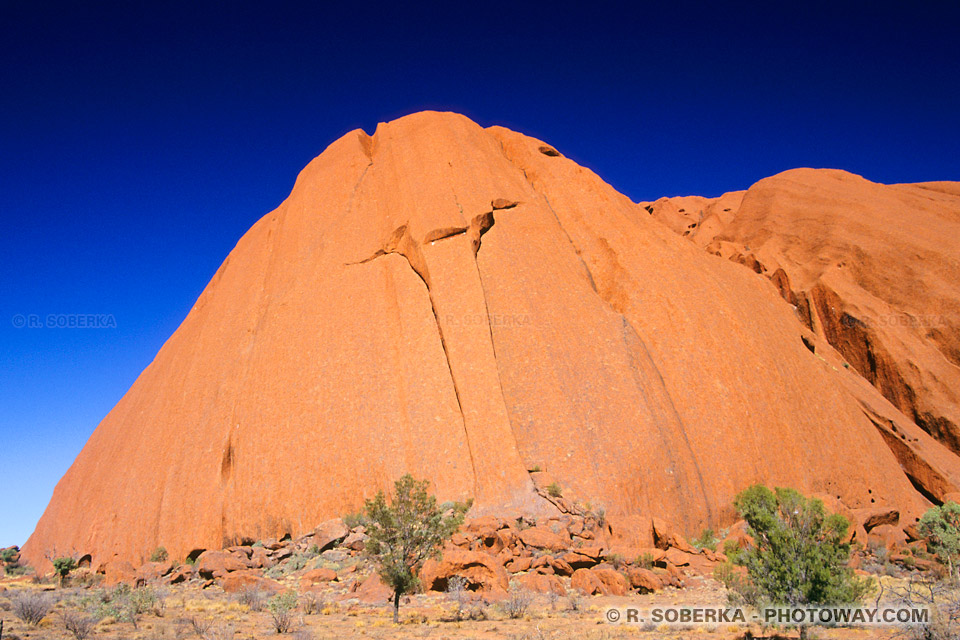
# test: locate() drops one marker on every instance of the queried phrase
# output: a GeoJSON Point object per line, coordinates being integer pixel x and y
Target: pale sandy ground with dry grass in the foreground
{"type": "Point", "coordinates": [422, 616]}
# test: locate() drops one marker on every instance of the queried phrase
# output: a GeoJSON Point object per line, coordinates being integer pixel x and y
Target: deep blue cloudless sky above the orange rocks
{"type": "Point", "coordinates": [137, 144]}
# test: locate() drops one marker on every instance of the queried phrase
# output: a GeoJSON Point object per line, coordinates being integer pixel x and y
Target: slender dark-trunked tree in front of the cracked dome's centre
{"type": "Point", "coordinates": [407, 531]}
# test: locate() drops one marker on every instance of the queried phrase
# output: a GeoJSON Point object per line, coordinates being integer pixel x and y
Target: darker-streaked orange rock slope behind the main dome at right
{"type": "Point", "coordinates": [872, 270]}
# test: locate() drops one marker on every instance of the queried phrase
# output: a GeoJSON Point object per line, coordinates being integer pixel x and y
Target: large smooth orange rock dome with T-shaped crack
{"type": "Point", "coordinates": [466, 305]}
